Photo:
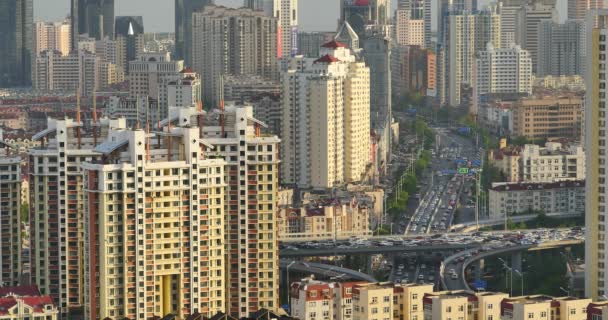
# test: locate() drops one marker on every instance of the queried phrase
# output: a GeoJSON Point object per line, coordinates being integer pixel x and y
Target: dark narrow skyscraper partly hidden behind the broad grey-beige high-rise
{"type": "Point", "coordinates": [183, 28]}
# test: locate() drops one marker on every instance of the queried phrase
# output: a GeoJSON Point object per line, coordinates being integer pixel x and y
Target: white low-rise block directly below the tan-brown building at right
{"type": "Point", "coordinates": [533, 163]}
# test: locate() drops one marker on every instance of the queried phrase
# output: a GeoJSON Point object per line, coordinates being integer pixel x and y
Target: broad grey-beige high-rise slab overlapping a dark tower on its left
{"type": "Point", "coordinates": [233, 41]}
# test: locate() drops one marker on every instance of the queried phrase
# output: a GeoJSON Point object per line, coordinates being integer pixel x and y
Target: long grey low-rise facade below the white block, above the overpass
{"type": "Point", "coordinates": [565, 197]}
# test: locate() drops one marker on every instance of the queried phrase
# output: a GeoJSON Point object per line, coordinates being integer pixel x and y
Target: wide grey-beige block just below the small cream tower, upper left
{"type": "Point", "coordinates": [54, 72]}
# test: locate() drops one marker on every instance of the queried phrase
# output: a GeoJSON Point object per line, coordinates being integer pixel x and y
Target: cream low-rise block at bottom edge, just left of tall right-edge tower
{"type": "Point", "coordinates": [541, 307]}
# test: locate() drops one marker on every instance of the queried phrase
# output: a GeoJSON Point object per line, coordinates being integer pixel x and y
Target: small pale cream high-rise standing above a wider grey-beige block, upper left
{"type": "Point", "coordinates": [53, 36]}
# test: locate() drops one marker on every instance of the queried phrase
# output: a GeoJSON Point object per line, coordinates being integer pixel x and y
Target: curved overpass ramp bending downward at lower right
{"type": "Point", "coordinates": [460, 267]}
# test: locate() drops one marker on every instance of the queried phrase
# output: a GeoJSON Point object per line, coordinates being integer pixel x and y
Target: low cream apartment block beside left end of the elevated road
{"type": "Point", "coordinates": [325, 221]}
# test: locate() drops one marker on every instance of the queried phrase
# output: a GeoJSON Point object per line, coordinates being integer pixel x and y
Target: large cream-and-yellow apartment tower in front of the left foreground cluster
{"type": "Point", "coordinates": [154, 225]}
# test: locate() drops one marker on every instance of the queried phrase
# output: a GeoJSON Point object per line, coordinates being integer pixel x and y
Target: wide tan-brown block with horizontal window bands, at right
{"type": "Point", "coordinates": [548, 117]}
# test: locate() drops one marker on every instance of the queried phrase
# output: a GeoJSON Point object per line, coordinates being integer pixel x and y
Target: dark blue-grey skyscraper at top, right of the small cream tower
{"type": "Point", "coordinates": [92, 17]}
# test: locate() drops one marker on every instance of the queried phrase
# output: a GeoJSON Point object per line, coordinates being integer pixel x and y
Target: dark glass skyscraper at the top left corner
{"type": "Point", "coordinates": [17, 39]}
